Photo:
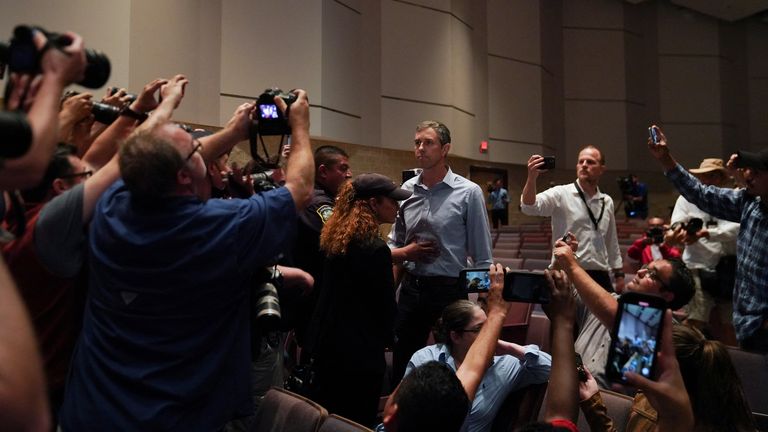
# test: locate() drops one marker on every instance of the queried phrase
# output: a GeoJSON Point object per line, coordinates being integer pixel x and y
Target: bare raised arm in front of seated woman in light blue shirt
{"type": "Point", "coordinates": [479, 357]}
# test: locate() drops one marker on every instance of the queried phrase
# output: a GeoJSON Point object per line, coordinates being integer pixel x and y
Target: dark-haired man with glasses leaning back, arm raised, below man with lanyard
{"type": "Point", "coordinates": [668, 278]}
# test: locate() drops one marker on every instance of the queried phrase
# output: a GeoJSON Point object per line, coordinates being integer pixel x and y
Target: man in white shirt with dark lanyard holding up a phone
{"type": "Point", "coordinates": [580, 208]}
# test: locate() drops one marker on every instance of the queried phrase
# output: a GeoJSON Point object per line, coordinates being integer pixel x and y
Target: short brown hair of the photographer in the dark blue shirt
{"type": "Point", "coordinates": [148, 165]}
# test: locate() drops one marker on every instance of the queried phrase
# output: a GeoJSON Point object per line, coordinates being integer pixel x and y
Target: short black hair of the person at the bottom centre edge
{"type": "Point", "coordinates": [431, 397]}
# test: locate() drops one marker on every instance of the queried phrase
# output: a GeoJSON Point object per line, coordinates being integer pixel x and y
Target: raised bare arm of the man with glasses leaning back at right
{"type": "Point", "coordinates": [603, 305]}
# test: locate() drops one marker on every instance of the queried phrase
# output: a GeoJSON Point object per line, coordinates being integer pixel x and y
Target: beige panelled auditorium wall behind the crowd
{"type": "Point", "coordinates": [544, 76]}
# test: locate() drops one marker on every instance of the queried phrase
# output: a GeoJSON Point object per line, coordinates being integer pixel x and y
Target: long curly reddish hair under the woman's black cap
{"type": "Point", "coordinates": [352, 220]}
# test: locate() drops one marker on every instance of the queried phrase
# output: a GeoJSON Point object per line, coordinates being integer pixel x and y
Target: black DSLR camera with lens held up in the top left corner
{"type": "Point", "coordinates": [22, 56]}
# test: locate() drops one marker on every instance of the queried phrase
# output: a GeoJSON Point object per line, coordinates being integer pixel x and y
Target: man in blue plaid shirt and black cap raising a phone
{"type": "Point", "coordinates": [748, 207]}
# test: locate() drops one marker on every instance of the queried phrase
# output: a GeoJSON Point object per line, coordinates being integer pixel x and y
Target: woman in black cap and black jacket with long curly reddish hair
{"type": "Point", "coordinates": [354, 319]}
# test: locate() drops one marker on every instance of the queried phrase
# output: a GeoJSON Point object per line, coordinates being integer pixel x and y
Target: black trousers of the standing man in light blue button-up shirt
{"type": "Point", "coordinates": [422, 300]}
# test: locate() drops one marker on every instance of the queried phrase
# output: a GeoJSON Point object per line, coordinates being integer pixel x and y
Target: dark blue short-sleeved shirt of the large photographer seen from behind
{"type": "Point", "coordinates": [165, 341]}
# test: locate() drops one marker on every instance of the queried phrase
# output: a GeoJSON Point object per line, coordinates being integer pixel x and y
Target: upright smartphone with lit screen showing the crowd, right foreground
{"type": "Point", "coordinates": [635, 342]}
